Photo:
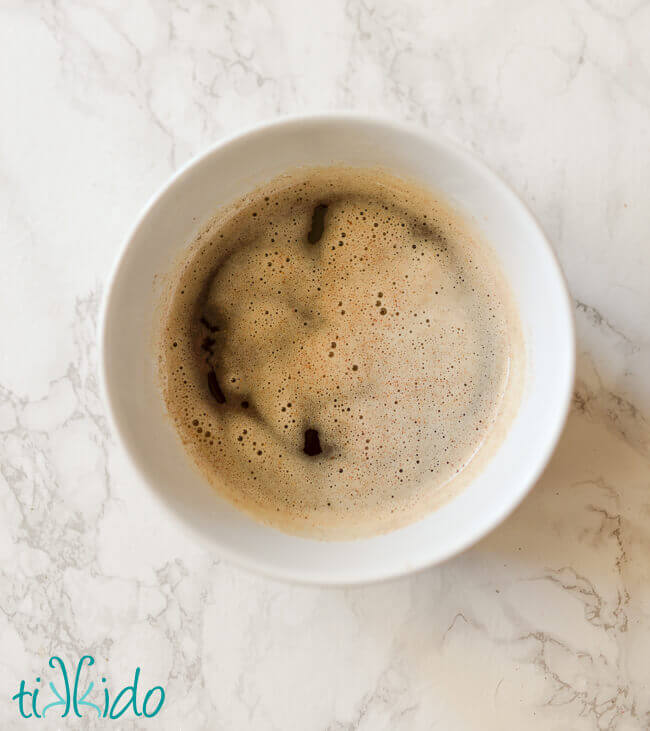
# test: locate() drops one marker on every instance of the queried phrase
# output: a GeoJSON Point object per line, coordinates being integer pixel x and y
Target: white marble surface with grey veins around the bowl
{"type": "Point", "coordinates": [543, 625]}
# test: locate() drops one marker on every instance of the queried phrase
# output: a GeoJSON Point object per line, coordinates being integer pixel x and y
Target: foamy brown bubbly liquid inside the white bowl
{"type": "Point", "coordinates": [336, 349]}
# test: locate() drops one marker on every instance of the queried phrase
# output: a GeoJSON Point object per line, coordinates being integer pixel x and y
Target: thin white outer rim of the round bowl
{"type": "Point", "coordinates": [320, 576]}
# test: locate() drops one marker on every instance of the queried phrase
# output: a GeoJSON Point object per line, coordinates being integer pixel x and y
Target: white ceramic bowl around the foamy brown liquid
{"type": "Point", "coordinates": [231, 168]}
